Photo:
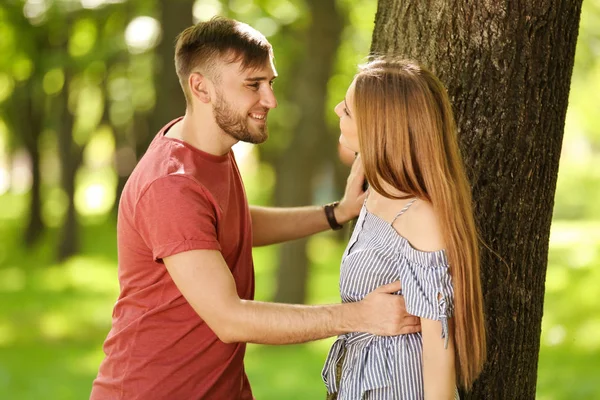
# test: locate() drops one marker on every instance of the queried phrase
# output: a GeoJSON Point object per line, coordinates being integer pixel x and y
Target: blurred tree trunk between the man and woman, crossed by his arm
{"type": "Point", "coordinates": [301, 161]}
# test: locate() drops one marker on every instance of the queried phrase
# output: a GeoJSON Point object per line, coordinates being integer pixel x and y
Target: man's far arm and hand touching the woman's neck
{"type": "Point", "coordinates": [275, 225]}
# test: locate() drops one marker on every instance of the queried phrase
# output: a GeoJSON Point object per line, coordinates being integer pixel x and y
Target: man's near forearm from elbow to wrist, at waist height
{"type": "Point", "coordinates": [273, 323]}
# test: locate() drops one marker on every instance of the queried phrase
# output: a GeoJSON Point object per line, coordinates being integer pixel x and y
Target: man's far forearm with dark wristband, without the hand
{"type": "Point", "coordinates": [276, 225]}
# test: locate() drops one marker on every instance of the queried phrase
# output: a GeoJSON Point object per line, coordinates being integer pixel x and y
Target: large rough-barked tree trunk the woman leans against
{"type": "Point", "coordinates": [507, 66]}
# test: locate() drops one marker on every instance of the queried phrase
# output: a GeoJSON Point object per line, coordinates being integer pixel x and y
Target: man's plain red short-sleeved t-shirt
{"type": "Point", "coordinates": [178, 198]}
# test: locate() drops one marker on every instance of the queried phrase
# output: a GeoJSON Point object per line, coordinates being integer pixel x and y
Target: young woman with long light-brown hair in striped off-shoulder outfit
{"type": "Point", "coordinates": [416, 226]}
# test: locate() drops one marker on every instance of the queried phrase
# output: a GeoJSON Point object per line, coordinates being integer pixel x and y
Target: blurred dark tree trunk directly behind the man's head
{"type": "Point", "coordinates": [175, 16]}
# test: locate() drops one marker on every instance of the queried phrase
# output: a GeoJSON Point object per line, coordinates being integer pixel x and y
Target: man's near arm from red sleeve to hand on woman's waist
{"type": "Point", "coordinates": [204, 279]}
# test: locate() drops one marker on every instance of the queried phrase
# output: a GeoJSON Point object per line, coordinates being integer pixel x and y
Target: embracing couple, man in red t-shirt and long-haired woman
{"type": "Point", "coordinates": [185, 236]}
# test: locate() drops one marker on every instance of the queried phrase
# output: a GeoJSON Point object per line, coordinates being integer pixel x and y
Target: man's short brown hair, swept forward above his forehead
{"type": "Point", "coordinates": [202, 46]}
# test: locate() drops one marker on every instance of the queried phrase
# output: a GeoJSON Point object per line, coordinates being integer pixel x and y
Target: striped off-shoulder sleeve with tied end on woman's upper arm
{"type": "Point", "coordinates": [427, 287]}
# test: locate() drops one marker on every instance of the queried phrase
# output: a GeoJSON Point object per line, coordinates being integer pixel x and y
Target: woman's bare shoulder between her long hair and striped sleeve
{"type": "Point", "coordinates": [420, 226]}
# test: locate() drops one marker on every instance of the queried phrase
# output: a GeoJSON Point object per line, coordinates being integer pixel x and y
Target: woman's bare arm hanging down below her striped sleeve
{"type": "Point", "coordinates": [439, 372]}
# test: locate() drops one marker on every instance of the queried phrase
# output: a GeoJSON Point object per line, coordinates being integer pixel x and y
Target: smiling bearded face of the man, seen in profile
{"type": "Point", "coordinates": [243, 99]}
